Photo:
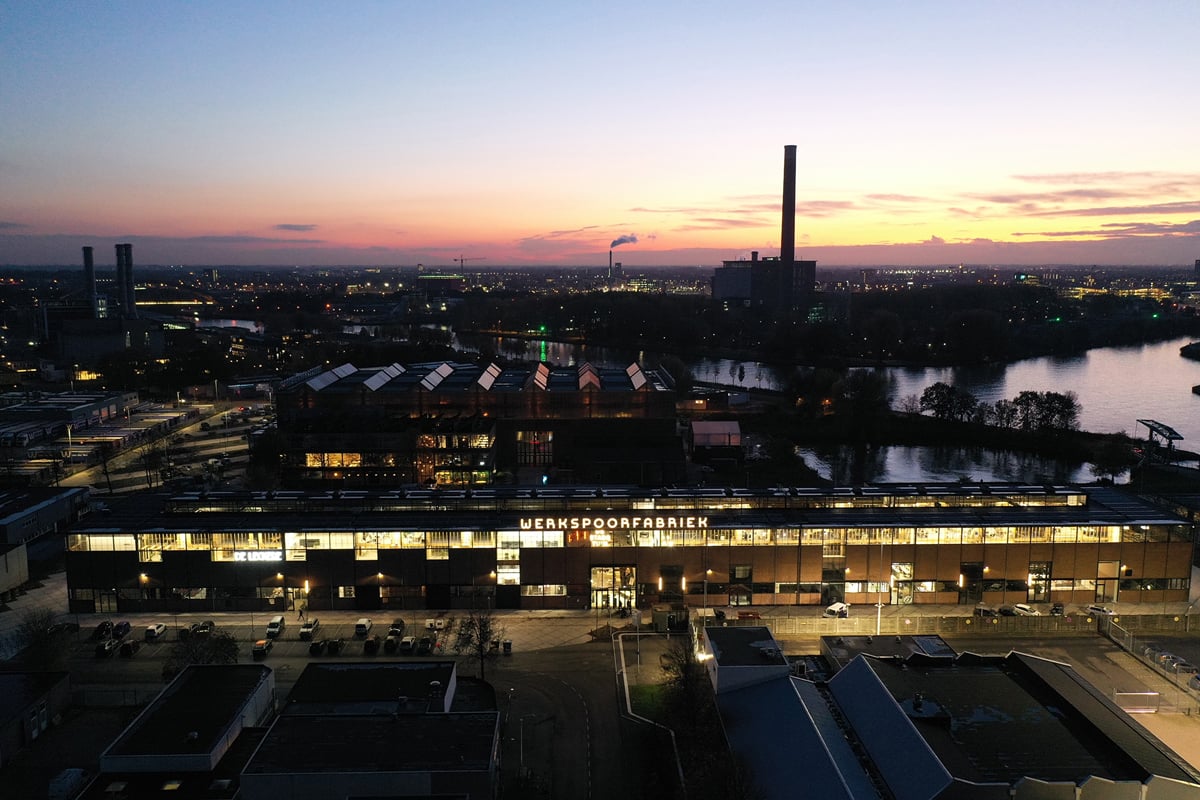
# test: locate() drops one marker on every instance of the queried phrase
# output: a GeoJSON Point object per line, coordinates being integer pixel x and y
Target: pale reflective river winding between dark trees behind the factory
{"type": "Point", "coordinates": [1115, 388]}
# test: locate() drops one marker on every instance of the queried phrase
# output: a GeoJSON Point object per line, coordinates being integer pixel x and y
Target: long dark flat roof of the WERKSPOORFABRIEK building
{"type": "Point", "coordinates": [410, 508]}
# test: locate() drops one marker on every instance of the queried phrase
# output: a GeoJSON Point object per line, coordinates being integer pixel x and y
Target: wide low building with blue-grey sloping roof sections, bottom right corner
{"type": "Point", "coordinates": [946, 726]}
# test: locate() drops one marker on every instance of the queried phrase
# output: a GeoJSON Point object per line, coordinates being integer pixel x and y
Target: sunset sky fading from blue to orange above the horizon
{"type": "Point", "coordinates": [395, 134]}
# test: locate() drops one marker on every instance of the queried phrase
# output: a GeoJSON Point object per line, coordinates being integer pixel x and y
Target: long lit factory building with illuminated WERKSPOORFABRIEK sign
{"type": "Point", "coordinates": [605, 548]}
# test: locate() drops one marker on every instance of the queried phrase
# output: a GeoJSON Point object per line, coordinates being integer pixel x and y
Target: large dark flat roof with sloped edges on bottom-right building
{"type": "Point", "coordinates": [991, 720]}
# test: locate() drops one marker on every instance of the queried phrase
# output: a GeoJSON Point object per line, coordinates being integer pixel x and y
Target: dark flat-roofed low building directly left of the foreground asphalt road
{"type": "Point", "coordinates": [377, 730]}
